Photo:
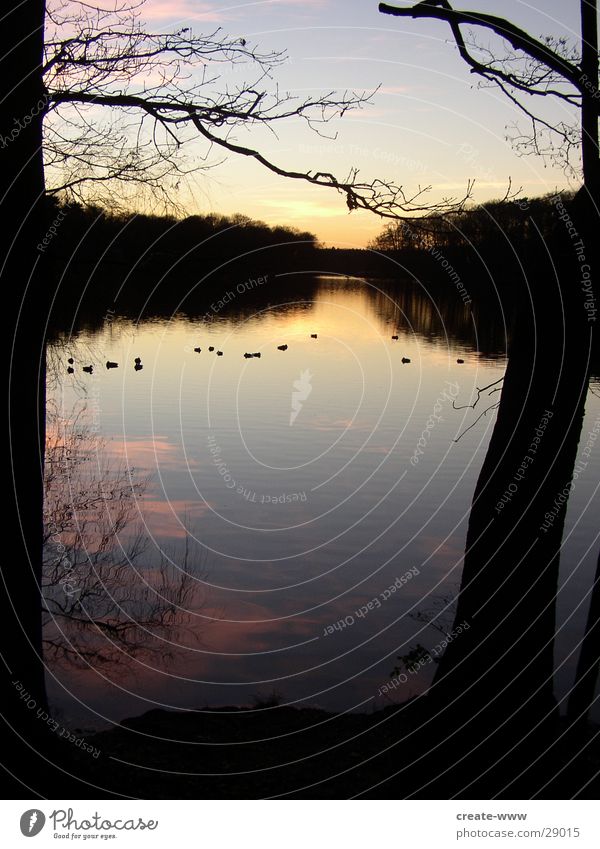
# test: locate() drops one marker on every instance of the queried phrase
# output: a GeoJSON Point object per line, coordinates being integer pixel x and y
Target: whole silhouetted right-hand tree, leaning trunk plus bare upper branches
{"type": "Point", "coordinates": [493, 691]}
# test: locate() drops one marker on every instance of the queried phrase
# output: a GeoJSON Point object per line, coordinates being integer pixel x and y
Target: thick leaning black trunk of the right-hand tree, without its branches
{"type": "Point", "coordinates": [496, 679]}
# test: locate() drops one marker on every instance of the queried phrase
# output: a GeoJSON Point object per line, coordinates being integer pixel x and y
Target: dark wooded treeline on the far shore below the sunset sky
{"type": "Point", "coordinates": [89, 232]}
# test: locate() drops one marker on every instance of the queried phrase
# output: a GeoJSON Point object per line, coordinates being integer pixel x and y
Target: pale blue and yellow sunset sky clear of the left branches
{"type": "Point", "coordinates": [428, 124]}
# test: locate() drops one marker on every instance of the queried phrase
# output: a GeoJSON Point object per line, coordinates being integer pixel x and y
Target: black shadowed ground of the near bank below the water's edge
{"type": "Point", "coordinates": [287, 752]}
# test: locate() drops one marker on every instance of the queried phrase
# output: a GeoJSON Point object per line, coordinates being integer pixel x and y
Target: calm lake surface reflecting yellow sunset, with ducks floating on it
{"type": "Point", "coordinates": [289, 486]}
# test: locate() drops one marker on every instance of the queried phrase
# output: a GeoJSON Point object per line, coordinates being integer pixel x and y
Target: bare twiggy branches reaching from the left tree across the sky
{"type": "Point", "coordinates": [162, 91]}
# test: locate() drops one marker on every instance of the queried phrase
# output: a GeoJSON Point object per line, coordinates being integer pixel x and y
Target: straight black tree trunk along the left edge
{"type": "Point", "coordinates": [26, 309]}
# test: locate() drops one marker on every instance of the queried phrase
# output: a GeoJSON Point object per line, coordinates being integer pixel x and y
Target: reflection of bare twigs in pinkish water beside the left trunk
{"type": "Point", "coordinates": [106, 600]}
